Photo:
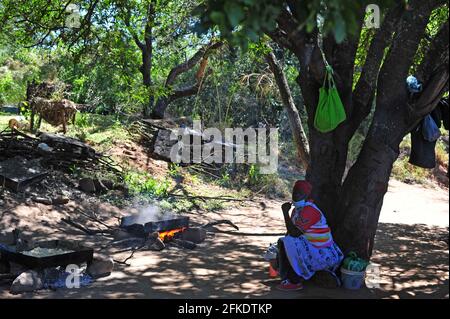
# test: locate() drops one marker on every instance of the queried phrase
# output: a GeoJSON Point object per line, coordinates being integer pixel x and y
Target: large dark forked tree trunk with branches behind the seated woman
{"type": "Point", "coordinates": [352, 203]}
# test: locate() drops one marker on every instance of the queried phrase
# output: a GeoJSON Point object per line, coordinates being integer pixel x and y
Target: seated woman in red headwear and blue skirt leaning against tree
{"type": "Point", "coordinates": [308, 246]}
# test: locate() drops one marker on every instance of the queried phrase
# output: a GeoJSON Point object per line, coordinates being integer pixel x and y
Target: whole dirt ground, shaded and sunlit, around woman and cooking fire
{"type": "Point", "coordinates": [411, 250]}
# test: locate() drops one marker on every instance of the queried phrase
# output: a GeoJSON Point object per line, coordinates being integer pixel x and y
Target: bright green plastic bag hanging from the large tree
{"type": "Point", "coordinates": [330, 110]}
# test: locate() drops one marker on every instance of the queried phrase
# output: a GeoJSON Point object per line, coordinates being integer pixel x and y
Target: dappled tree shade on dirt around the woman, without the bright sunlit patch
{"type": "Point", "coordinates": [413, 260]}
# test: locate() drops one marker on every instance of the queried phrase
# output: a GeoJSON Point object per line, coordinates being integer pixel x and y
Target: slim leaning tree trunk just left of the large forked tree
{"type": "Point", "coordinates": [298, 133]}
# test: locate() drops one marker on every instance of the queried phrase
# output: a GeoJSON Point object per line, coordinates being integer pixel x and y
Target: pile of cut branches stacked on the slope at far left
{"type": "Point", "coordinates": [55, 151]}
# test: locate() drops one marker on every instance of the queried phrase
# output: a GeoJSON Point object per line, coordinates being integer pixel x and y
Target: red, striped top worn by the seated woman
{"type": "Point", "coordinates": [311, 221]}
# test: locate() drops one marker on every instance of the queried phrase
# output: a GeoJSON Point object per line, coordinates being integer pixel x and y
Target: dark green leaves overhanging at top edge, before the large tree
{"type": "Point", "coordinates": [241, 21]}
